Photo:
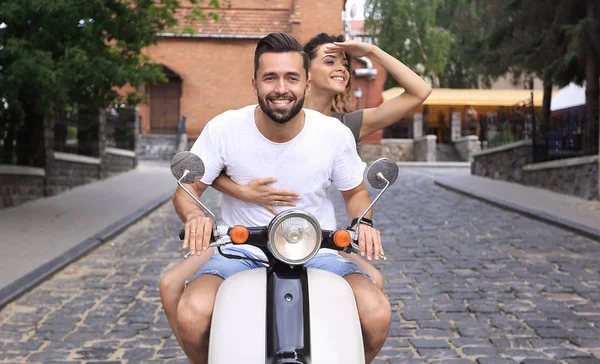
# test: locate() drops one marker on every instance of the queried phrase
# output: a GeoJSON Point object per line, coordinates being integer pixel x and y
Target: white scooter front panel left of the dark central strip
{"type": "Point", "coordinates": [238, 329]}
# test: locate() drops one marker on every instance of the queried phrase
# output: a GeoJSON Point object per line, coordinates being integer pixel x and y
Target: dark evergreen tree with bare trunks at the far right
{"type": "Point", "coordinates": [557, 42]}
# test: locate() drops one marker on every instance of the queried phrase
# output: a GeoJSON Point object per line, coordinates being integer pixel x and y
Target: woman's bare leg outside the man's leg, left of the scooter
{"type": "Point", "coordinates": [172, 284]}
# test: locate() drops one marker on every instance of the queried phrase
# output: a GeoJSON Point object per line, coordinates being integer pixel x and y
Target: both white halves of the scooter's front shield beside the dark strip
{"type": "Point", "coordinates": [238, 329]}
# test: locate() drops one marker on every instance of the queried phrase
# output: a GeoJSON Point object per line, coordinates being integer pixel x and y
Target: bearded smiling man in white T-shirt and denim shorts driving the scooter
{"type": "Point", "coordinates": [306, 151]}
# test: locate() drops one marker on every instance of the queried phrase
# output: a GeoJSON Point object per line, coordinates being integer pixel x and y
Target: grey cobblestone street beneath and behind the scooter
{"type": "Point", "coordinates": [468, 282]}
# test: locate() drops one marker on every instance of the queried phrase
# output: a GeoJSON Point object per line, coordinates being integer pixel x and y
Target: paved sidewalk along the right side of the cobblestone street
{"type": "Point", "coordinates": [575, 214]}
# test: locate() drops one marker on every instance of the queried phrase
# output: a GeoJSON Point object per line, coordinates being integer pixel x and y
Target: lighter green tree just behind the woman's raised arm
{"type": "Point", "coordinates": [435, 38]}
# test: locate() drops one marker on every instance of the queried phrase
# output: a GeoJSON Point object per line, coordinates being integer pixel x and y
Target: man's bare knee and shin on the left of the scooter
{"type": "Point", "coordinates": [194, 313]}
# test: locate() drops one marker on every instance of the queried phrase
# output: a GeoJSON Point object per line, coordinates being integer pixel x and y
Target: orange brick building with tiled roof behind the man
{"type": "Point", "coordinates": [210, 69]}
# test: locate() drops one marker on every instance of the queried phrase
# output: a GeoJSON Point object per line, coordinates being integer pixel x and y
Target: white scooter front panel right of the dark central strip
{"type": "Point", "coordinates": [336, 337]}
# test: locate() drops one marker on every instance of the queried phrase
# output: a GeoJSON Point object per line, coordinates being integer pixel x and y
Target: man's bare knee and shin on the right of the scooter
{"type": "Point", "coordinates": [374, 312]}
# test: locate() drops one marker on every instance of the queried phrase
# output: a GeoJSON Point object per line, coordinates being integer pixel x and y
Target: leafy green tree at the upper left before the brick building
{"type": "Point", "coordinates": [77, 53]}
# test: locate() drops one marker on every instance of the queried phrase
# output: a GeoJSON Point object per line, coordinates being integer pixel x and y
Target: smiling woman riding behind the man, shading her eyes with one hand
{"type": "Point", "coordinates": [330, 94]}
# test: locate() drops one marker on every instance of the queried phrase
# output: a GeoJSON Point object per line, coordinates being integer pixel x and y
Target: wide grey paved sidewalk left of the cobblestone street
{"type": "Point", "coordinates": [40, 237]}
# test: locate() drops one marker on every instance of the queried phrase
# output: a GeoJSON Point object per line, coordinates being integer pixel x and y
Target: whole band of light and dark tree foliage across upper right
{"type": "Point", "coordinates": [468, 43]}
